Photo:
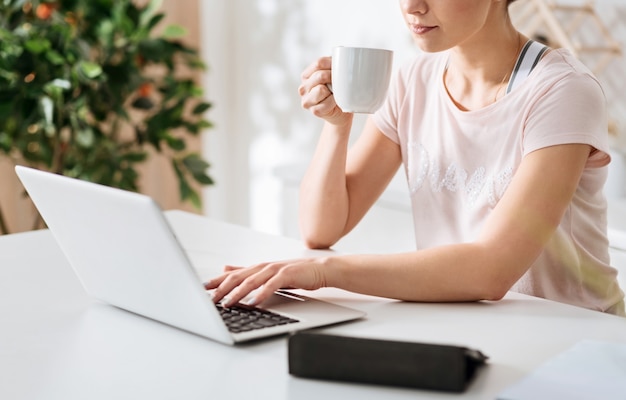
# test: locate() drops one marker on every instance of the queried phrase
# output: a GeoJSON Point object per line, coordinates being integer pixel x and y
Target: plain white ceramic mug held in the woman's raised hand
{"type": "Point", "coordinates": [360, 78]}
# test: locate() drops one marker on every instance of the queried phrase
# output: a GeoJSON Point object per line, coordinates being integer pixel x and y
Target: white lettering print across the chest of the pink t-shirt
{"type": "Point", "coordinates": [422, 168]}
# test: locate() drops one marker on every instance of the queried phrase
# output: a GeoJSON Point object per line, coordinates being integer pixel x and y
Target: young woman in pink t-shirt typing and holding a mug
{"type": "Point", "coordinates": [505, 173]}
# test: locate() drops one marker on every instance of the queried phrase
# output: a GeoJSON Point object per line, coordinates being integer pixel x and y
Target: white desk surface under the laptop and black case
{"type": "Point", "coordinates": [57, 343]}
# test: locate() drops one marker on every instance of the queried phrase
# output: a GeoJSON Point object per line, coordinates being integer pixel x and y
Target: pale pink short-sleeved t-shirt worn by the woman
{"type": "Point", "coordinates": [459, 163]}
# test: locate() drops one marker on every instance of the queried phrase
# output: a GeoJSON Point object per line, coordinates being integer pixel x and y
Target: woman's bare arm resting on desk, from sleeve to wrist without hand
{"type": "Point", "coordinates": [512, 238]}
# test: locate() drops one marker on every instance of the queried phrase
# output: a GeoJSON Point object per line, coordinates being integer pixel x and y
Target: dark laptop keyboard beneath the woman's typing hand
{"type": "Point", "coordinates": [240, 318]}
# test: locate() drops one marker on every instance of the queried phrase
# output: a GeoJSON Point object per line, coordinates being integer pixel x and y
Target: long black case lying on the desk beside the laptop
{"type": "Point", "coordinates": [384, 362]}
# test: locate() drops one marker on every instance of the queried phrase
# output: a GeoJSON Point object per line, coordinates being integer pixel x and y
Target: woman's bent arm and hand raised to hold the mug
{"type": "Point", "coordinates": [340, 185]}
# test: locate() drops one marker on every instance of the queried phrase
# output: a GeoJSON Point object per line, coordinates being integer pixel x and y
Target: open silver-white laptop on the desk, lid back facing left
{"type": "Point", "coordinates": [124, 252]}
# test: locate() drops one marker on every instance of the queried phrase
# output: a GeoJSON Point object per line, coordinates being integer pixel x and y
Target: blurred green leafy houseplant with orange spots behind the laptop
{"type": "Point", "coordinates": [87, 88]}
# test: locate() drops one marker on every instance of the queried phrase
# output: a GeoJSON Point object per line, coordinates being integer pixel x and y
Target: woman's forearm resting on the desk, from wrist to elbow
{"type": "Point", "coordinates": [461, 272]}
